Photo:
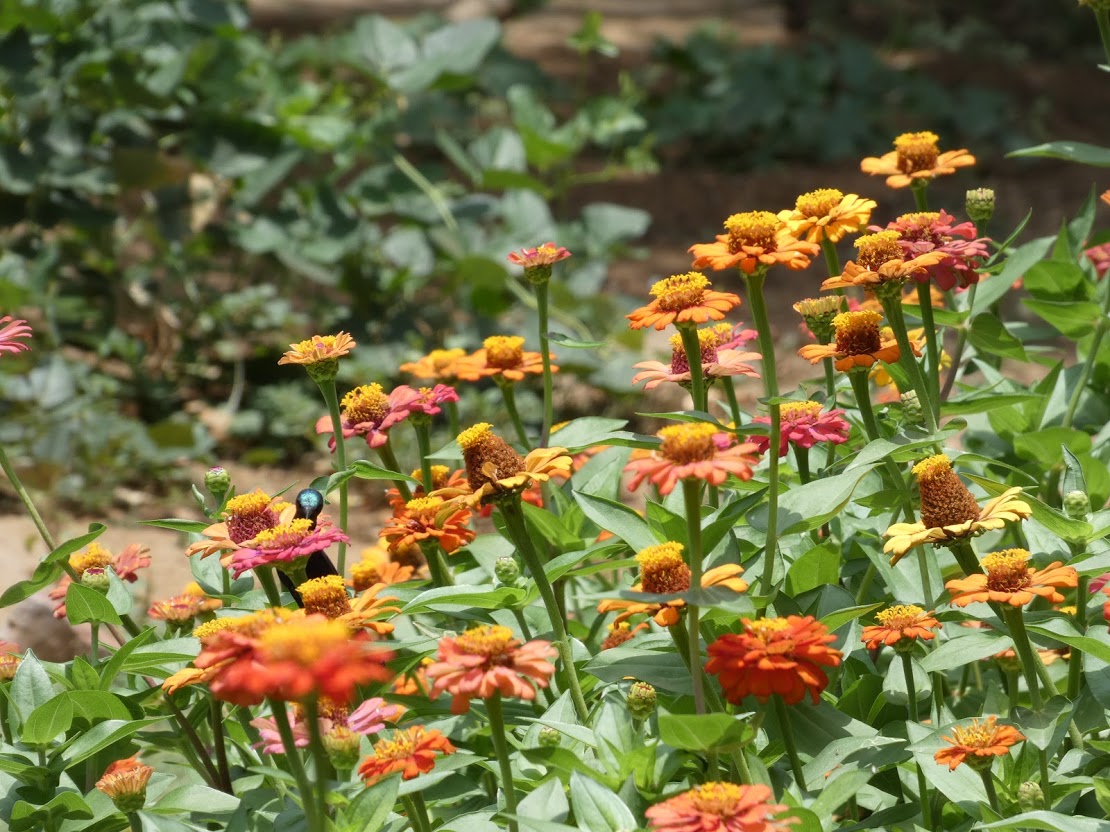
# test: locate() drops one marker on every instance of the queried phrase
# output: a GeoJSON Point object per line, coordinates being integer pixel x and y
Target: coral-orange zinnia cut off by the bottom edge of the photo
{"type": "Point", "coordinates": [720, 808]}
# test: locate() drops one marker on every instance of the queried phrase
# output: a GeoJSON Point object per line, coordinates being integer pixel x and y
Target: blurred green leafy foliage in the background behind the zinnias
{"type": "Point", "coordinates": [183, 196]}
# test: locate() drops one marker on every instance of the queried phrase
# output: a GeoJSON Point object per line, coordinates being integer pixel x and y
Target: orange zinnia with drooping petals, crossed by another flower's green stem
{"type": "Point", "coordinates": [663, 571]}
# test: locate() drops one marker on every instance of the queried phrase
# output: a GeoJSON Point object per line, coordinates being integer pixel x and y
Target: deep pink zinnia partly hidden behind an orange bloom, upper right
{"type": "Point", "coordinates": [935, 232]}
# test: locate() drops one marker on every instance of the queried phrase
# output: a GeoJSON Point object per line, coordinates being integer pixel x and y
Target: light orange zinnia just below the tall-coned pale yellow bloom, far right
{"type": "Point", "coordinates": [1010, 580]}
